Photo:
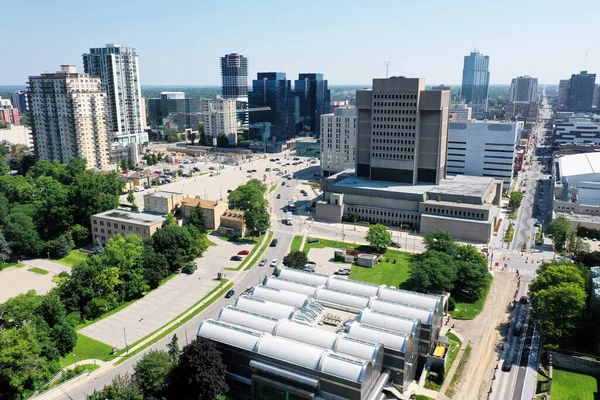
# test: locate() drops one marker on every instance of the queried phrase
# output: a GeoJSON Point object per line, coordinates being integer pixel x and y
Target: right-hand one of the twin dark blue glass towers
{"type": "Point", "coordinates": [313, 99]}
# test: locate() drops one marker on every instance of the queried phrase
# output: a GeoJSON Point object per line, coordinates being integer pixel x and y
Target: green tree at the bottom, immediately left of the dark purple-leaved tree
{"type": "Point", "coordinates": [152, 372]}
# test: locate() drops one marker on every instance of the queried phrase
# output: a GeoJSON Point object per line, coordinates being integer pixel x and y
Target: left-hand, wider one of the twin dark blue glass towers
{"type": "Point", "coordinates": [273, 90]}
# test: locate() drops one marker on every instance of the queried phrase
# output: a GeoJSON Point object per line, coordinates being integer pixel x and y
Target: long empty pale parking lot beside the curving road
{"type": "Point", "coordinates": [163, 304]}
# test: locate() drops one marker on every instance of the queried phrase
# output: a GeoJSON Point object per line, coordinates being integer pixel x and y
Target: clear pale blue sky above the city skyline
{"type": "Point", "coordinates": [180, 42]}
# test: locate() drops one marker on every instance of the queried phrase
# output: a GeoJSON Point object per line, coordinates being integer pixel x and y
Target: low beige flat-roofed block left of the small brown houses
{"type": "Point", "coordinates": [108, 223]}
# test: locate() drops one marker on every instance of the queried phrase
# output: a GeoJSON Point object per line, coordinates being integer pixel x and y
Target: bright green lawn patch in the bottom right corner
{"type": "Point", "coordinates": [568, 385]}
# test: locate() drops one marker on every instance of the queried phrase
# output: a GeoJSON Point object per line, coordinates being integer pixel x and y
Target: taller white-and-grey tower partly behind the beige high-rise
{"type": "Point", "coordinates": [119, 69]}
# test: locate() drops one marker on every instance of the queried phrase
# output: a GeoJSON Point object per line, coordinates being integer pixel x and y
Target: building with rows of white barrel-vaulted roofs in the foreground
{"type": "Point", "coordinates": [296, 341]}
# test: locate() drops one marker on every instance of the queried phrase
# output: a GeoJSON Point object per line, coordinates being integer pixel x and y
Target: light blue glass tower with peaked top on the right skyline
{"type": "Point", "coordinates": [475, 83]}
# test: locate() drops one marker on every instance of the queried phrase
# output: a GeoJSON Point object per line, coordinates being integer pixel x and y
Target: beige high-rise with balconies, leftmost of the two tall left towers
{"type": "Point", "coordinates": [68, 114]}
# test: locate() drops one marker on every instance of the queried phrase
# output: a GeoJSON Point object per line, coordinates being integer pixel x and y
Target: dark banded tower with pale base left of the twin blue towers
{"type": "Point", "coordinates": [234, 74]}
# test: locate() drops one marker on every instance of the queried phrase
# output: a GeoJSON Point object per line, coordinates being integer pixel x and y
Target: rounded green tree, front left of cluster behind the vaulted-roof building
{"type": "Point", "coordinates": [433, 271]}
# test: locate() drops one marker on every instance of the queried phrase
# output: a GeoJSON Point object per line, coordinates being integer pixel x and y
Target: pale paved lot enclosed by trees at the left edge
{"type": "Point", "coordinates": [15, 281]}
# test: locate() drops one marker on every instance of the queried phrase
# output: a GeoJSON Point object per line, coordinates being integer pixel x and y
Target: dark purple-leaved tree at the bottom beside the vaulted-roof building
{"type": "Point", "coordinates": [200, 374]}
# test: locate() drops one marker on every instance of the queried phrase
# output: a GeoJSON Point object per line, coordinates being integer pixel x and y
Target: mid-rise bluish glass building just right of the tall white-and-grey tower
{"type": "Point", "coordinates": [173, 112]}
